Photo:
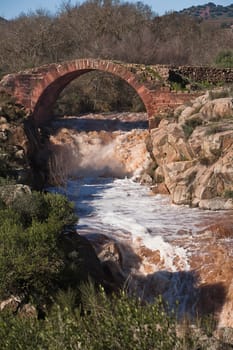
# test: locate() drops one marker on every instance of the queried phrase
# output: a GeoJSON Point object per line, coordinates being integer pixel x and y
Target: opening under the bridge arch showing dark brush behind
{"type": "Point", "coordinates": [98, 92]}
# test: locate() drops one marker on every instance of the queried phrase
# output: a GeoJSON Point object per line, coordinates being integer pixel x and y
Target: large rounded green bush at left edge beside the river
{"type": "Point", "coordinates": [31, 262]}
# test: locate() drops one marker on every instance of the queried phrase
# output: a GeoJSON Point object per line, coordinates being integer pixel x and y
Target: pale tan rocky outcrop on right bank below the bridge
{"type": "Point", "coordinates": [193, 153]}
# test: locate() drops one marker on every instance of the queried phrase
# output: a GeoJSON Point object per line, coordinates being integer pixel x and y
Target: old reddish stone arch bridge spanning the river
{"type": "Point", "coordinates": [38, 89]}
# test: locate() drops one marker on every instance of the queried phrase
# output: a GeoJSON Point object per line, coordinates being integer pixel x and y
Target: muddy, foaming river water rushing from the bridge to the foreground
{"type": "Point", "coordinates": [162, 248]}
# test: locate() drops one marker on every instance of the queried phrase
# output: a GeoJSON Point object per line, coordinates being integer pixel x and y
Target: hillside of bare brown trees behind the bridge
{"type": "Point", "coordinates": [116, 30]}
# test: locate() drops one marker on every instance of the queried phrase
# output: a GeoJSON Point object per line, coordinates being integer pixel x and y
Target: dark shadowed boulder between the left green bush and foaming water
{"type": "Point", "coordinates": [98, 260]}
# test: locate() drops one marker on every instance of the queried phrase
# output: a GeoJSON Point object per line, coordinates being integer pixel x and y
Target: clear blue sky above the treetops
{"type": "Point", "coordinates": [12, 8]}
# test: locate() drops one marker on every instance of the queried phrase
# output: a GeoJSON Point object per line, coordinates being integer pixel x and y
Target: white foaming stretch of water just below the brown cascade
{"type": "Point", "coordinates": [122, 208]}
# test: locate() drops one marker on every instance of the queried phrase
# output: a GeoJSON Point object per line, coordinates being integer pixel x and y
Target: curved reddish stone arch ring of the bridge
{"type": "Point", "coordinates": [57, 76]}
